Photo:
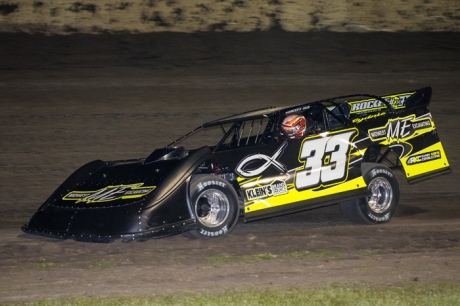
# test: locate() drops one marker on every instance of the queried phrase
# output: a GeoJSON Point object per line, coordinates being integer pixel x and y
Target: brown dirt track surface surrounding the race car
{"type": "Point", "coordinates": [69, 100]}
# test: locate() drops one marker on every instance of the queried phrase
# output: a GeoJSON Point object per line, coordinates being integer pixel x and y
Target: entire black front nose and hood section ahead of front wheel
{"type": "Point", "coordinates": [92, 204]}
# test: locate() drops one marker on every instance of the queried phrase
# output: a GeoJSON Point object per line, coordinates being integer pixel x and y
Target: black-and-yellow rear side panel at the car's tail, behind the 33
{"type": "Point", "coordinates": [411, 133]}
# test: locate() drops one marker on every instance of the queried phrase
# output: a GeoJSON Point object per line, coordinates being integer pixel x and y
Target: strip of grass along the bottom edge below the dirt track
{"type": "Point", "coordinates": [435, 295]}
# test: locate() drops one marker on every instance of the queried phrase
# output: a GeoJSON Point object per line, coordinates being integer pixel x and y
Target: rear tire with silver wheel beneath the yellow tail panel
{"type": "Point", "coordinates": [383, 202]}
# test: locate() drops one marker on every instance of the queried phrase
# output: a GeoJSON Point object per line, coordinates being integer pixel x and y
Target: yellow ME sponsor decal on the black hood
{"type": "Point", "coordinates": [110, 193]}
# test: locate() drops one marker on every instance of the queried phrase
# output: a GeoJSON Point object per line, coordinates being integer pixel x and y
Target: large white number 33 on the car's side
{"type": "Point", "coordinates": [326, 160]}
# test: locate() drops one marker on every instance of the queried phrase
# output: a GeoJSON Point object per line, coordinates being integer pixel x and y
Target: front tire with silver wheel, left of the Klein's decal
{"type": "Point", "coordinates": [214, 202]}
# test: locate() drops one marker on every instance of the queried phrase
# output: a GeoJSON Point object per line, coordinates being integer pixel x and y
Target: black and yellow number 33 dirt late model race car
{"type": "Point", "coordinates": [265, 163]}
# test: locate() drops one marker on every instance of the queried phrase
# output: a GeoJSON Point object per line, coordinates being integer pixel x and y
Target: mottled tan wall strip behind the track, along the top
{"type": "Point", "coordinates": [142, 16]}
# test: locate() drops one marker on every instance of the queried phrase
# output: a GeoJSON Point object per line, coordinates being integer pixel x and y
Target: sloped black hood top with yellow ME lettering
{"type": "Point", "coordinates": [118, 183]}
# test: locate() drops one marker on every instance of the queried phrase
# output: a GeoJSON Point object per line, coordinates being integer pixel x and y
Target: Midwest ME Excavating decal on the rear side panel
{"type": "Point", "coordinates": [399, 130]}
